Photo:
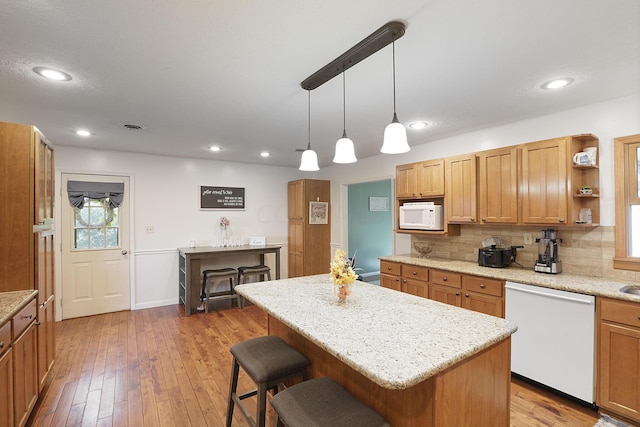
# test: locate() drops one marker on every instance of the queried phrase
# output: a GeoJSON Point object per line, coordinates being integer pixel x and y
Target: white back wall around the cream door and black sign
{"type": "Point", "coordinates": [165, 195]}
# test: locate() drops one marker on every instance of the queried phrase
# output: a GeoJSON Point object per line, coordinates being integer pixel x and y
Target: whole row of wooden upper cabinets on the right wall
{"type": "Point", "coordinates": [550, 182]}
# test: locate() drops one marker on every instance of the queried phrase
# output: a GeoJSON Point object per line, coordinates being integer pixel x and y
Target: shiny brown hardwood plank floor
{"type": "Point", "coordinates": [156, 367]}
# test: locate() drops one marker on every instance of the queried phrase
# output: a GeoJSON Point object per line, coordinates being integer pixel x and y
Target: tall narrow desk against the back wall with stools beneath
{"type": "Point", "coordinates": [190, 273]}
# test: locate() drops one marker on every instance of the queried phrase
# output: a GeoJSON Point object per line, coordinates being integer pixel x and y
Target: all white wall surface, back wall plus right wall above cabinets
{"type": "Point", "coordinates": [165, 189]}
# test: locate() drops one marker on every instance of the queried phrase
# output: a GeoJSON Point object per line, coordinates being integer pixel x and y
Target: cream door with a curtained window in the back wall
{"type": "Point", "coordinates": [95, 252]}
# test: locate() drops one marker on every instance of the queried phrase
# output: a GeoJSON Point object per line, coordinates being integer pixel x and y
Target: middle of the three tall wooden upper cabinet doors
{"type": "Point", "coordinates": [498, 182]}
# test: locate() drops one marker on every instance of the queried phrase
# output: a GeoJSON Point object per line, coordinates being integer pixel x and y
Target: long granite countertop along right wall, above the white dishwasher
{"type": "Point", "coordinates": [567, 282]}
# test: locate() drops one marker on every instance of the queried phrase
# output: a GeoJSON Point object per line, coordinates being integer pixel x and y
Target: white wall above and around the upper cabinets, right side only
{"type": "Point", "coordinates": [606, 120]}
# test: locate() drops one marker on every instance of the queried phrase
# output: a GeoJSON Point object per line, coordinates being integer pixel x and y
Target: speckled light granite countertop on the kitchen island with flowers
{"type": "Point", "coordinates": [395, 339]}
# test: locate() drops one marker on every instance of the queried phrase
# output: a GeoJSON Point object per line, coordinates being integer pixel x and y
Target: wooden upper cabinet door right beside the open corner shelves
{"type": "Point", "coordinates": [544, 182]}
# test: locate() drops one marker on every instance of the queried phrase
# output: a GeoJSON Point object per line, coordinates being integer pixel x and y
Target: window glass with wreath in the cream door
{"type": "Point", "coordinates": [96, 225]}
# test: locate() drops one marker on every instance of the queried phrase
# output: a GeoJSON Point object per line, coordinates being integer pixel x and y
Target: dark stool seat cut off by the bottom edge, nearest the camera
{"type": "Point", "coordinates": [321, 402]}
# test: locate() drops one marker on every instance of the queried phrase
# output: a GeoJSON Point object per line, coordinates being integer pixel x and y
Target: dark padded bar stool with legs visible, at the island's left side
{"type": "Point", "coordinates": [269, 361]}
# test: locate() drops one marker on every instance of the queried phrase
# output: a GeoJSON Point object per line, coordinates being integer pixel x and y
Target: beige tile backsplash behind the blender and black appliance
{"type": "Point", "coordinates": [587, 252]}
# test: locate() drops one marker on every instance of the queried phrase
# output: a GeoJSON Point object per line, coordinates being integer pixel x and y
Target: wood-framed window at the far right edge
{"type": "Point", "coordinates": [627, 181]}
